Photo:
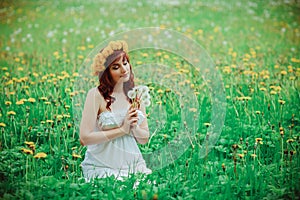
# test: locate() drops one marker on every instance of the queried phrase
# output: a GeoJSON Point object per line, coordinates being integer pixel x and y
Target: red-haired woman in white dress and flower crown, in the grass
{"type": "Point", "coordinates": [110, 126]}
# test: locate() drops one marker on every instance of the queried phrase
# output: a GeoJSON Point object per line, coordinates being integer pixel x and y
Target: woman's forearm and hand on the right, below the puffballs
{"type": "Point", "coordinates": [141, 132]}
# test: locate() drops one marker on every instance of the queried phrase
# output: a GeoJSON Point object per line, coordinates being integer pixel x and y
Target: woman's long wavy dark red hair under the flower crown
{"type": "Point", "coordinates": [106, 83]}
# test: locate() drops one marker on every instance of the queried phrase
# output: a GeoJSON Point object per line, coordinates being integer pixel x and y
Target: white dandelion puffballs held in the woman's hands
{"type": "Point", "coordinates": [139, 96]}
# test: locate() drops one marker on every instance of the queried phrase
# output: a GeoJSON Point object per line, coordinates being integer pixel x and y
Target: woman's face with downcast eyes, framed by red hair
{"type": "Point", "coordinates": [120, 70]}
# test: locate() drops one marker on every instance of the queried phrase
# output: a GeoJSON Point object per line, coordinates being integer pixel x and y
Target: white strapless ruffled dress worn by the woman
{"type": "Point", "coordinates": [118, 157]}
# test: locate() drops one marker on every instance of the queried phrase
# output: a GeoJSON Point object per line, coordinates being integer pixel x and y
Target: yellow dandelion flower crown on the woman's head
{"type": "Point", "coordinates": [100, 58]}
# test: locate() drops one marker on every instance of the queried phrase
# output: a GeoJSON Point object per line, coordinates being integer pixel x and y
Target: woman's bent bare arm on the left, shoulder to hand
{"type": "Point", "coordinates": [88, 122]}
